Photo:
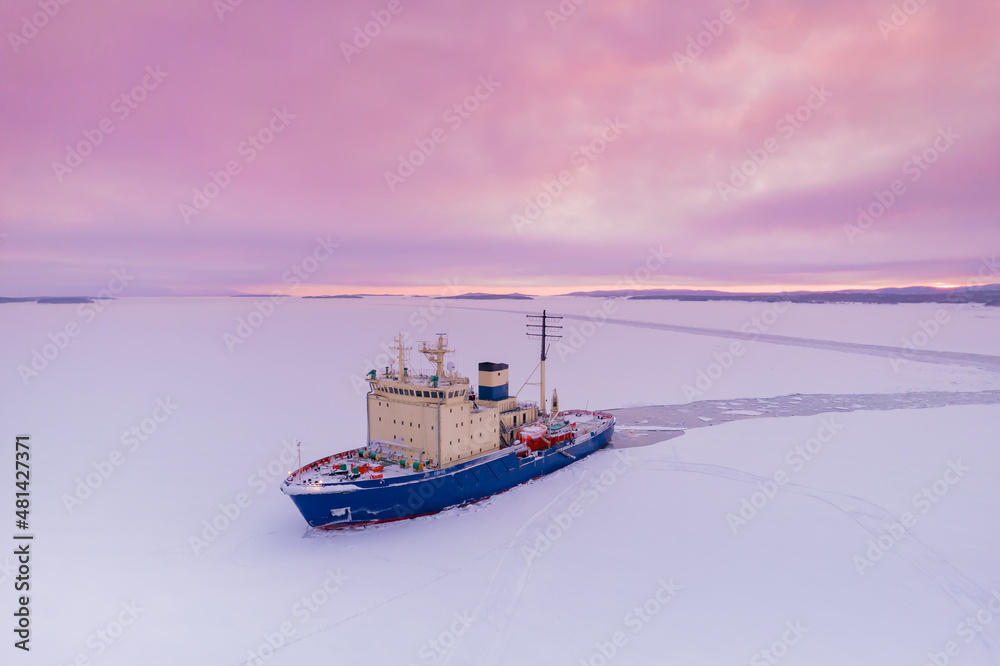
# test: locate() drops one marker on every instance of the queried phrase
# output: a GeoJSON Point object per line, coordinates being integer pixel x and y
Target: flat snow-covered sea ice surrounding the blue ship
{"type": "Point", "coordinates": [685, 550]}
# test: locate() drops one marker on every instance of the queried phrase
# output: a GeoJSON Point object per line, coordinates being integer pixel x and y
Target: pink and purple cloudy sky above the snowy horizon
{"type": "Point", "coordinates": [410, 146]}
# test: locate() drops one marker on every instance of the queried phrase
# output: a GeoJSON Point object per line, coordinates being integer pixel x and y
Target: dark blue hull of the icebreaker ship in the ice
{"type": "Point", "coordinates": [383, 500]}
